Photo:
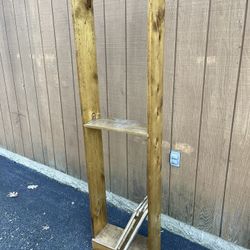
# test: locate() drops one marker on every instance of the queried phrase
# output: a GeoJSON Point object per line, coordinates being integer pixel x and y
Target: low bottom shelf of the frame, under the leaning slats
{"type": "Point", "coordinates": [109, 236]}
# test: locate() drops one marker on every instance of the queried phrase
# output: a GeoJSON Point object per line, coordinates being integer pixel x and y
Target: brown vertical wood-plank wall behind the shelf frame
{"type": "Point", "coordinates": [206, 100]}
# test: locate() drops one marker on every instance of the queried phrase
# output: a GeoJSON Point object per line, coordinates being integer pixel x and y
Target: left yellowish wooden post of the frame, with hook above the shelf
{"type": "Point", "coordinates": [83, 19]}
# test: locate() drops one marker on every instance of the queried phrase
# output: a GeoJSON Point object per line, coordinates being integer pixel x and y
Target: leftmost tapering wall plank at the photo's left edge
{"type": "Point", "coordinates": [6, 116]}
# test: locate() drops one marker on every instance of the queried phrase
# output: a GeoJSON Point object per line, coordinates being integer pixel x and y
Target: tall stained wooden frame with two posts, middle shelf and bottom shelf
{"type": "Point", "coordinates": [103, 233]}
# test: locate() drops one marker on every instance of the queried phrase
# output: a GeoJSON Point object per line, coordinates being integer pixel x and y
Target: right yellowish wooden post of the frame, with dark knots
{"type": "Point", "coordinates": [156, 12]}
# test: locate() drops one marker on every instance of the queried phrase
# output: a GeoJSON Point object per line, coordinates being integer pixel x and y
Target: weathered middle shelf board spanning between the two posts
{"type": "Point", "coordinates": [119, 125]}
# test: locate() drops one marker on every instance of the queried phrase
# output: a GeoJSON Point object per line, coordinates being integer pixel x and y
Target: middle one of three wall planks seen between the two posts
{"type": "Point", "coordinates": [116, 82]}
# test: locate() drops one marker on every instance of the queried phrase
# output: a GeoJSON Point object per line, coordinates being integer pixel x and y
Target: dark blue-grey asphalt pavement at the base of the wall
{"type": "Point", "coordinates": [52, 215]}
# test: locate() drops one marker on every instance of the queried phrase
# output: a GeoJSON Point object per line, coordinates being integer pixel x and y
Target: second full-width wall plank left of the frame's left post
{"type": "Point", "coordinates": [51, 69]}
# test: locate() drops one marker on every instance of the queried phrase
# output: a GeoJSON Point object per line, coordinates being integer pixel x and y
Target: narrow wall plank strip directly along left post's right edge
{"type": "Point", "coordinates": [99, 16]}
